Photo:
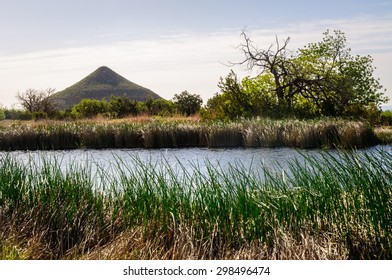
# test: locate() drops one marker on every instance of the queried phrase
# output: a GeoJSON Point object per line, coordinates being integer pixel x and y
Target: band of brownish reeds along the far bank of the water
{"type": "Point", "coordinates": [173, 133]}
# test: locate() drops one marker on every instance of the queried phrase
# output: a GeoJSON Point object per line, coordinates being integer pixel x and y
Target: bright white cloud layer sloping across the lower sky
{"type": "Point", "coordinates": [184, 60]}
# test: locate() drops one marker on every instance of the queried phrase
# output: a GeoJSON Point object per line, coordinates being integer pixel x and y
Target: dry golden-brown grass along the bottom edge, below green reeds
{"type": "Point", "coordinates": [135, 244]}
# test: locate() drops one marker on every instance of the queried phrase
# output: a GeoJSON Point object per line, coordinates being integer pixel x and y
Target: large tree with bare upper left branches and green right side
{"type": "Point", "coordinates": [322, 78]}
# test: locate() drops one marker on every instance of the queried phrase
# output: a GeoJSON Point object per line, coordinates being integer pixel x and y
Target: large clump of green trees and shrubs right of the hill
{"type": "Point", "coordinates": [321, 79]}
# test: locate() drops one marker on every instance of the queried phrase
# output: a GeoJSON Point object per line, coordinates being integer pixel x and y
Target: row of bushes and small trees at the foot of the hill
{"type": "Point", "coordinates": [37, 105]}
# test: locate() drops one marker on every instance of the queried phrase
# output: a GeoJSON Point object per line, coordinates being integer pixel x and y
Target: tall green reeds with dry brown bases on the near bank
{"type": "Point", "coordinates": [328, 209]}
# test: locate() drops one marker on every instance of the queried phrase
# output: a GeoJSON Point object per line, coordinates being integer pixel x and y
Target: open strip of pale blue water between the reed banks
{"type": "Point", "coordinates": [180, 160]}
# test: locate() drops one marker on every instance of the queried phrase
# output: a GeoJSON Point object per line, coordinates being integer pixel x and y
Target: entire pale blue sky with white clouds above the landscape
{"type": "Point", "coordinates": [171, 46]}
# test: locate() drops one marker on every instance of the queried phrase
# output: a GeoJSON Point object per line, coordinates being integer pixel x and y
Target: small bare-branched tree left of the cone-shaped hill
{"type": "Point", "coordinates": [36, 101]}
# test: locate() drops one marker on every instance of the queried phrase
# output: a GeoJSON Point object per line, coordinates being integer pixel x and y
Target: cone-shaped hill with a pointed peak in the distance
{"type": "Point", "coordinates": [101, 84]}
